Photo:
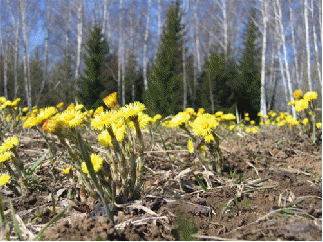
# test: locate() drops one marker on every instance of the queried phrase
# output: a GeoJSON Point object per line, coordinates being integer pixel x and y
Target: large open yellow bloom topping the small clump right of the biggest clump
{"type": "Point", "coordinates": [204, 124]}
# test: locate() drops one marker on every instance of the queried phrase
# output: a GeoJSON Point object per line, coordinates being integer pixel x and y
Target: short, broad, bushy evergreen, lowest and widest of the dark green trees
{"type": "Point", "coordinates": [217, 83]}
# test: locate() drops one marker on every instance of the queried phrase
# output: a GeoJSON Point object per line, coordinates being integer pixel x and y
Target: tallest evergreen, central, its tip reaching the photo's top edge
{"type": "Point", "coordinates": [164, 93]}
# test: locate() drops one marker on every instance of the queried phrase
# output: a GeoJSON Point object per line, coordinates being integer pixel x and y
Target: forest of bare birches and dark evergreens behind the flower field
{"type": "Point", "coordinates": [227, 55]}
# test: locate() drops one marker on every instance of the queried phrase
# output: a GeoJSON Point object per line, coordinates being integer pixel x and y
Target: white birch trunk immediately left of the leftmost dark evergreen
{"type": "Point", "coordinates": [79, 37]}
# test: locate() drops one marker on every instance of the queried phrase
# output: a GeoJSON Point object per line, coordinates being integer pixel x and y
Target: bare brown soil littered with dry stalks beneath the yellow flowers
{"type": "Point", "coordinates": [270, 189]}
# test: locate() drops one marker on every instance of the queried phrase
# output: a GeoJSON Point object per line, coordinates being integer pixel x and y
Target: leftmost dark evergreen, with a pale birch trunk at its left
{"type": "Point", "coordinates": [92, 84]}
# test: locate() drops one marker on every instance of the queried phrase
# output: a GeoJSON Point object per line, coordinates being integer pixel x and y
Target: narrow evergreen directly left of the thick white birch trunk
{"type": "Point", "coordinates": [248, 88]}
